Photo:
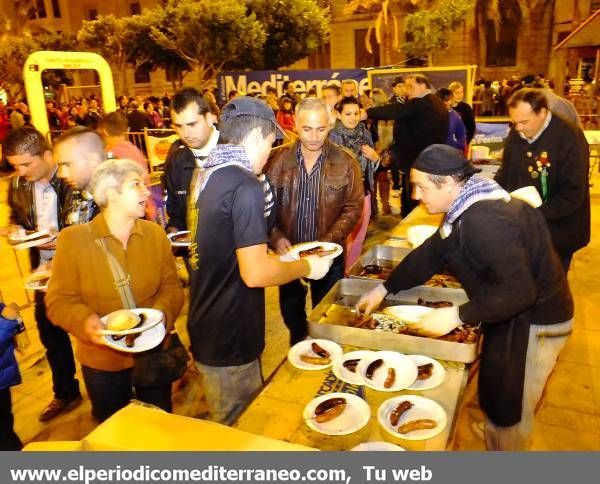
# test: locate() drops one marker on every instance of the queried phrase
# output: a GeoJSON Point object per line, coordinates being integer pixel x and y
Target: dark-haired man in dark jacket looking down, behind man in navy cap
{"type": "Point", "coordinates": [194, 123]}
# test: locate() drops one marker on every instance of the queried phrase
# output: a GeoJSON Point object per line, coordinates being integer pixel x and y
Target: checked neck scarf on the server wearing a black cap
{"type": "Point", "coordinates": [476, 189]}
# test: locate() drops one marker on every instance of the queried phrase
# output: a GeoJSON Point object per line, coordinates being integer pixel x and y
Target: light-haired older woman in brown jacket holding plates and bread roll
{"type": "Point", "coordinates": [83, 289]}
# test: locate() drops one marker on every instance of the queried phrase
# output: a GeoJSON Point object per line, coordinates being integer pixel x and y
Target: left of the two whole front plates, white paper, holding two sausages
{"type": "Point", "coordinates": [354, 417]}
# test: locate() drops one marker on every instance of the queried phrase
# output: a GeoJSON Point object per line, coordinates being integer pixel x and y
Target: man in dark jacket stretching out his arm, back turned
{"type": "Point", "coordinates": [420, 122]}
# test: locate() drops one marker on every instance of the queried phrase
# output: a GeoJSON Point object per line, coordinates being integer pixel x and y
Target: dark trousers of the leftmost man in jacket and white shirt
{"type": "Point", "coordinates": [58, 352]}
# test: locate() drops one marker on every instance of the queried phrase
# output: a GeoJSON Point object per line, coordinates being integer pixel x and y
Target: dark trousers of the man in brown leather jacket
{"type": "Point", "coordinates": [292, 299]}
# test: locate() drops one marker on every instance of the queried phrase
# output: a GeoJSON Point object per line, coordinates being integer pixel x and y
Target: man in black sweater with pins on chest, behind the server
{"type": "Point", "coordinates": [551, 154]}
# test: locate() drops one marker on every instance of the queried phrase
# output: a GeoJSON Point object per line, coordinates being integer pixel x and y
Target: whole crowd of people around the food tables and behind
{"type": "Point", "coordinates": [247, 204]}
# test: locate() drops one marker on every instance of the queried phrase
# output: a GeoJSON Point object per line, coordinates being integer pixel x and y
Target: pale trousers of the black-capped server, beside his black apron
{"type": "Point", "coordinates": [544, 345]}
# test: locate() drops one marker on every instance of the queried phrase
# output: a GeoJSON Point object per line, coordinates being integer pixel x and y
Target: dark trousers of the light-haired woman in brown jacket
{"type": "Point", "coordinates": [110, 391]}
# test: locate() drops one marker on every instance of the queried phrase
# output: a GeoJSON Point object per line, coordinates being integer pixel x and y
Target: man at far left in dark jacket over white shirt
{"type": "Point", "coordinates": [38, 200]}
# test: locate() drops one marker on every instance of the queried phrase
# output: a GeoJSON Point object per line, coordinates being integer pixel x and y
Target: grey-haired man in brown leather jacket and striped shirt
{"type": "Point", "coordinates": [319, 196]}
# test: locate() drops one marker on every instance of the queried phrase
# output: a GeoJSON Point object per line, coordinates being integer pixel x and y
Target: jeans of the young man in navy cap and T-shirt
{"type": "Point", "coordinates": [229, 389]}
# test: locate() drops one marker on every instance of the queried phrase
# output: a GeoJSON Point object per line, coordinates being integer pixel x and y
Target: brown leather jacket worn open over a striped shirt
{"type": "Point", "coordinates": [341, 194]}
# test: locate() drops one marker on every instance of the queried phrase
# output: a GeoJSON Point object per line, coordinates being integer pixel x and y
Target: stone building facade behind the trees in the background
{"type": "Point", "coordinates": [517, 41]}
